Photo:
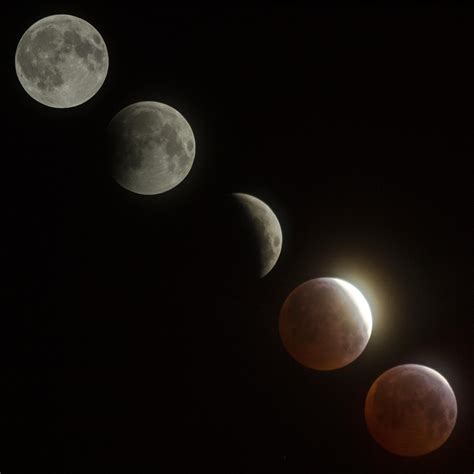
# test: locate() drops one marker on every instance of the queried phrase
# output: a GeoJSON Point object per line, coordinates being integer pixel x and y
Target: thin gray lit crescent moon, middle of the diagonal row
{"type": "Point", "coordinates": [267, 229]}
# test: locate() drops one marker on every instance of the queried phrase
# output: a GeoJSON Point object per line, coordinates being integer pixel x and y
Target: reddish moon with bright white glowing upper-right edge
{"type": "Point", "coordinates": [325, 323]}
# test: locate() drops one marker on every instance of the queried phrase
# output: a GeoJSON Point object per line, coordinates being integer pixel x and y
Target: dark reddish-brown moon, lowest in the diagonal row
{"type": "Point", "coordinates": [410, 410]}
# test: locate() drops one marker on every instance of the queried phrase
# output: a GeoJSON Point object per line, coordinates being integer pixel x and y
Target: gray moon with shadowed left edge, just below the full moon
{"type": "Point", "coordinates": [152, 147]}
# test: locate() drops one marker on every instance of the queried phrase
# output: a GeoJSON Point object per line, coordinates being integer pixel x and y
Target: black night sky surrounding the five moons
{"type": "Point", "coordinates": [123, 345]}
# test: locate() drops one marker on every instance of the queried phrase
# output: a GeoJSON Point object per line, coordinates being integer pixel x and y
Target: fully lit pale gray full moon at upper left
{"type": "Point", "coordinates": [61, 61]}
